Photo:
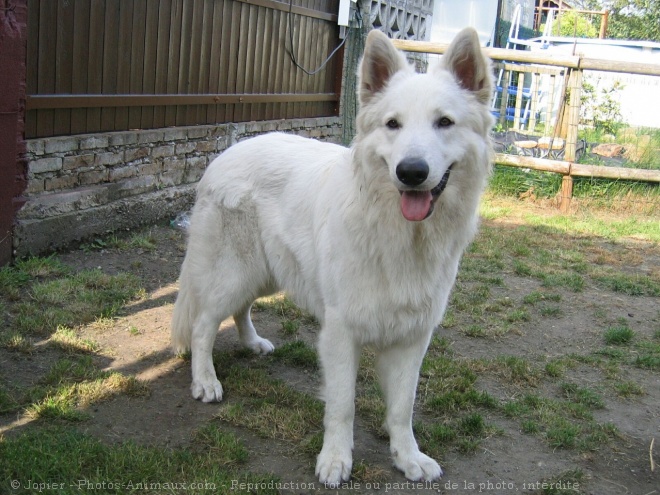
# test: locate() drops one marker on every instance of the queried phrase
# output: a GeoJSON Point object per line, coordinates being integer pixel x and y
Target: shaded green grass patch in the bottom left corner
{"type": "Point", "coordinates": [64, 455]}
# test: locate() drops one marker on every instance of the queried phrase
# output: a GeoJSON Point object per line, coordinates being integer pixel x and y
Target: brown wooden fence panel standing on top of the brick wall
{"type": "Point", "coordinates": [104, 65]}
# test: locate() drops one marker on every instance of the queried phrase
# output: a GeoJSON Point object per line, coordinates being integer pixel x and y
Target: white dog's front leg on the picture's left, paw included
{"type": "Point", "coordinates": [339, 359]}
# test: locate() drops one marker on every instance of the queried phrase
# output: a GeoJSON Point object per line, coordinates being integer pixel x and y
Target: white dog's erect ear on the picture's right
{"type": "Point", "coordinates": [467, 62]}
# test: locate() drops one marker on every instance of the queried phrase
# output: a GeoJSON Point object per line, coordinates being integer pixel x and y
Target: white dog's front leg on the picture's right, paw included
{"type": "Point", "coordinates": [398, 369]}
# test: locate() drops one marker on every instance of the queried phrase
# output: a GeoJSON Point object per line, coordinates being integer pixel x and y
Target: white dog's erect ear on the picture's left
{"type": "Point", "coordinates": [380, 61]}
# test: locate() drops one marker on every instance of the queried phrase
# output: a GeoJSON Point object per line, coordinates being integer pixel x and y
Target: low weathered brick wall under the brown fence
{"type": "Point", "coordinates": [86, 185]}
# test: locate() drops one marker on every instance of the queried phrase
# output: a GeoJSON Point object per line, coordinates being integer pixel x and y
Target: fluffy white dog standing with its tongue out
{"type": "Point", "coordinates": [368, 239]}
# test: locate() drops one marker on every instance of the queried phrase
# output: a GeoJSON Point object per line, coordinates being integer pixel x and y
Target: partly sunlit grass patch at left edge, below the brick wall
{"type": "Point", "coordinates": [46, 302]}
